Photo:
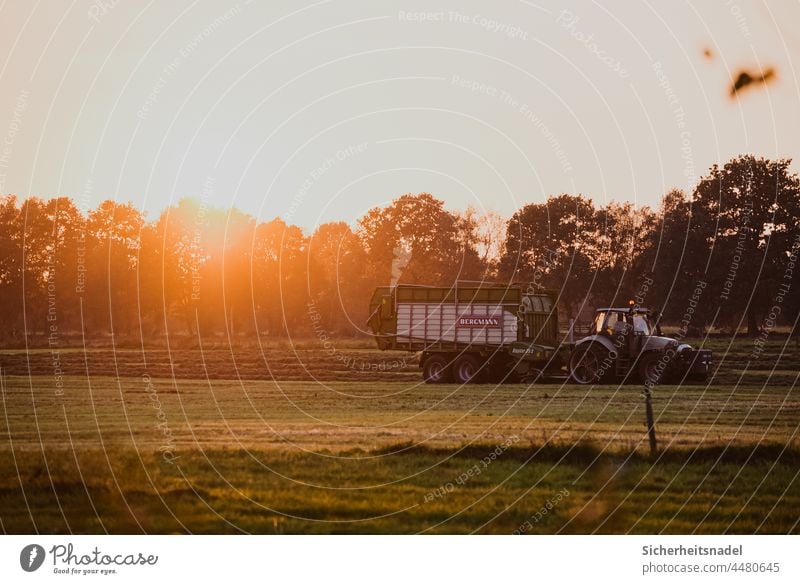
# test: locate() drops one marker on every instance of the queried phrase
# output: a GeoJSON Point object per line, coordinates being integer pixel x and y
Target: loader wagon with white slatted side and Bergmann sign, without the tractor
{"type": "Point", "coordinates": [472, 333]}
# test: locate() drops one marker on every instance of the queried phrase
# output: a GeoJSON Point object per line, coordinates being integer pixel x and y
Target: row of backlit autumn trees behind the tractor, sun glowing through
{"type": "Point", "coordinates": [724, 255]}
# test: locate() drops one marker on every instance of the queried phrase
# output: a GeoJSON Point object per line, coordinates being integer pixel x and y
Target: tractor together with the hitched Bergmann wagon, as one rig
{"type": "Point", "coordinates": [510, 333]}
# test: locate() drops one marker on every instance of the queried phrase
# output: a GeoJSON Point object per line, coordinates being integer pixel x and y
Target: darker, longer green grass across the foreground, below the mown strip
{"type": "Point", "coordinates": [553, 490]}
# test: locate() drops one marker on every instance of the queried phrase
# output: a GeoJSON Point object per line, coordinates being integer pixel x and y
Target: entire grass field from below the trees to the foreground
{"type": "Point", "coordinates": [295, 440]}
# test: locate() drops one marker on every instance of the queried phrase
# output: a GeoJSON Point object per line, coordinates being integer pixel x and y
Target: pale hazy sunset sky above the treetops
{"type": "Point", "coordinates": [320, 111]}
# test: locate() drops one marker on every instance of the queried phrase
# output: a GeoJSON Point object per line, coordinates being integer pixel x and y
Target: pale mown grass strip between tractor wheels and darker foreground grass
{"type": "Point", "coordinates": [339, 416]}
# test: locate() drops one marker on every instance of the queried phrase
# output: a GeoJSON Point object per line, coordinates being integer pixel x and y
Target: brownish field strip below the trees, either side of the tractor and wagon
{"type": "Point", "coordinates": [777, 362]}
